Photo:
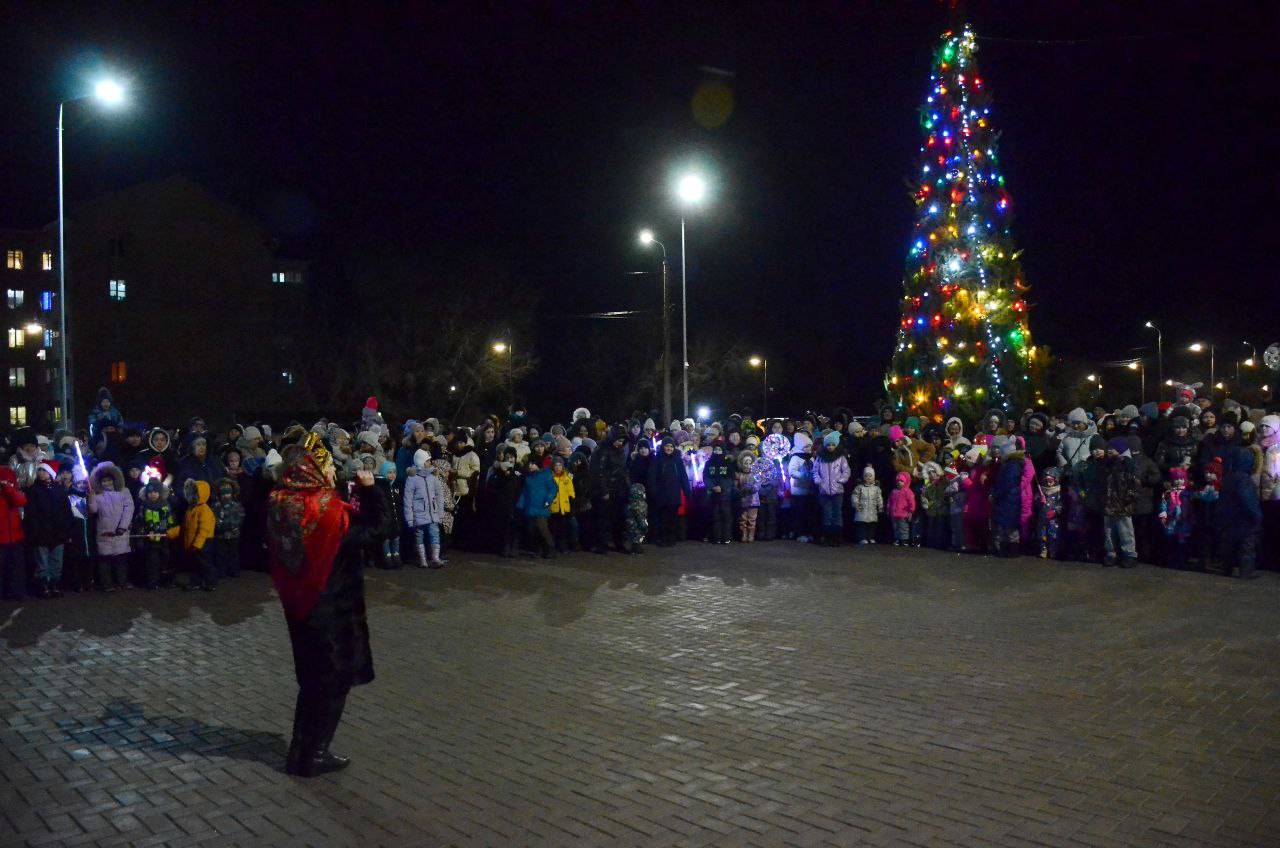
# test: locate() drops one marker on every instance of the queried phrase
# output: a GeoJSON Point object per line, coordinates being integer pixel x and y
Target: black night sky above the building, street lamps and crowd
{"type": "Point", "coordinates": [1141, 159]}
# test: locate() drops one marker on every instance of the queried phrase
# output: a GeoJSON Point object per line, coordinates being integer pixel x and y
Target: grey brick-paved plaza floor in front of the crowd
{"type": "Point", "coordinates": [769, 695]}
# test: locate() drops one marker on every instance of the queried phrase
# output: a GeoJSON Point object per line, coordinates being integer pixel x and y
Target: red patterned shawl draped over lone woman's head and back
{"type": "Point", "coordinates": [307, 523]}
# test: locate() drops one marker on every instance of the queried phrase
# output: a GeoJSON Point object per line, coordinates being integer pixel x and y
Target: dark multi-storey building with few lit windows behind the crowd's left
{"type": "Point", "coordinates": [176, 303]}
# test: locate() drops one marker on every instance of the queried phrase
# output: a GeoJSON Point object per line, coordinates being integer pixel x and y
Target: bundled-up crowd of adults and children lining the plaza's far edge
{"type": "Point", "coordinates": [1186, 485]}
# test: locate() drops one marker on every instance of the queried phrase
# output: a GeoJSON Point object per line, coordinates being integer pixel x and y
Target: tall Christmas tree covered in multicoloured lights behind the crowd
{"type": "Point", "coordinates": [964, 344]}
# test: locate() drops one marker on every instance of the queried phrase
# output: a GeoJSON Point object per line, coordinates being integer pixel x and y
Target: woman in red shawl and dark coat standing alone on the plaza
{"type": "Point", "coordinates": [317, 545]}
